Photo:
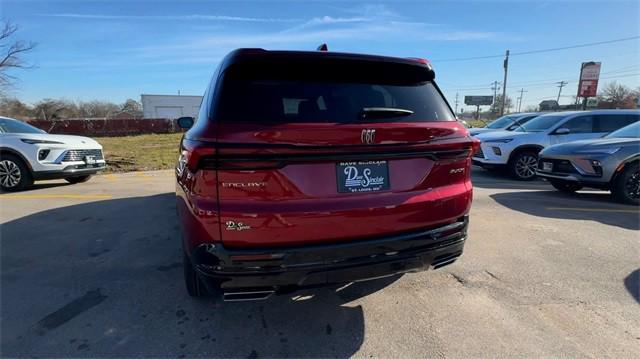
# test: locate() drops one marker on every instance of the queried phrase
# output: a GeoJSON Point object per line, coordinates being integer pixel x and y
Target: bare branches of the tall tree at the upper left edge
{"type": "Point", "coordinates": [11, 53]}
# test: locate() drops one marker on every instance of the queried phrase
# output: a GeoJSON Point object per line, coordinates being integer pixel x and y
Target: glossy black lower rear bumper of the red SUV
{"type": "Point", "coordinates": [284, 269]}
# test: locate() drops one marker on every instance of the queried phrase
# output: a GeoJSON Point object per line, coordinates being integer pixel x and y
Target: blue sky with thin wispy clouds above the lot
{"type": "Point", "coordinates": [114, 50]}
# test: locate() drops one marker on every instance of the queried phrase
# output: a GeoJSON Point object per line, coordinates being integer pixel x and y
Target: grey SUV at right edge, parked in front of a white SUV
{"type": "Point", "coordinates": [610, 163]}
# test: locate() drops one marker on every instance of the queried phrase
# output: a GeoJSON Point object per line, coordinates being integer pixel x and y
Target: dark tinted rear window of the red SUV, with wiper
{"type": "Point", "coordinates": [308, 98]}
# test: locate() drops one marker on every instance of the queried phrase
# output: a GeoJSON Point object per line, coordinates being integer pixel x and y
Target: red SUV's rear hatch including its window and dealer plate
{"type": "Point", "coordinates": [343, 149]}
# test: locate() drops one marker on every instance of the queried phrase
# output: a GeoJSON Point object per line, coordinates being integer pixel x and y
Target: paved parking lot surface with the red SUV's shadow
{"type": "Point", "coordinates": [94, 270]}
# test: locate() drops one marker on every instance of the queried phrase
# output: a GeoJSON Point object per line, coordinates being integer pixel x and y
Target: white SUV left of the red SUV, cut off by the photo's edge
{"type": "Point", "coordinates": [30, 154]}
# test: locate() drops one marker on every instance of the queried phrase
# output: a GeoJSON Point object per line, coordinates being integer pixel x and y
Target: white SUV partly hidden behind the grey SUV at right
{"type": "Point", "coordinates": [518, 149]}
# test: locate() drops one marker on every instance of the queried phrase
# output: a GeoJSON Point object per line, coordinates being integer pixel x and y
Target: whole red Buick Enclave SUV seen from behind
{"type": "Point", "coordinates": [309, 168]}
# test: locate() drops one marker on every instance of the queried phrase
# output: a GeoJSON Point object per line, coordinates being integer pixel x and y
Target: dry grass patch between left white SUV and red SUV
{"type": "Point", "coordinates": [141, 153]}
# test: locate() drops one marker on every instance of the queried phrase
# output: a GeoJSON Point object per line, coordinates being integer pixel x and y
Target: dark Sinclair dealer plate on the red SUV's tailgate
{"type": "Point", "coordinates": [362, 176]}
